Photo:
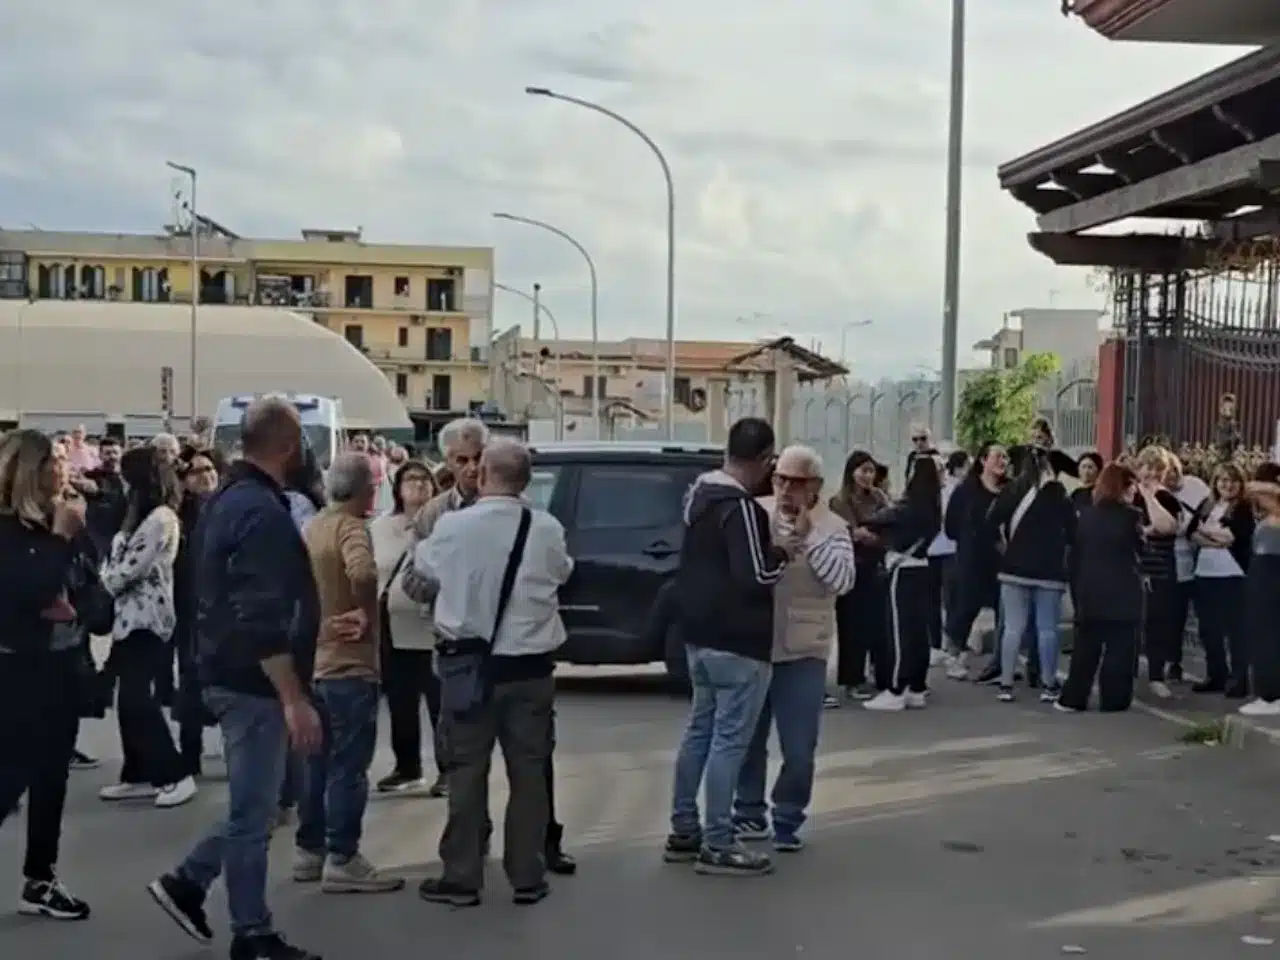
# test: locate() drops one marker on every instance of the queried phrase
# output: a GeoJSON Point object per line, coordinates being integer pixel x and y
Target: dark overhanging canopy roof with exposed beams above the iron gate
{"type": "Point", "coordinates": [1196, 153]}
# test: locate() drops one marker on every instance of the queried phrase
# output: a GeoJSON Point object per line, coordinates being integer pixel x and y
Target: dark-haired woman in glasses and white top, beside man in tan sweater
{"type": "Point", "coordinates": [409, 673]}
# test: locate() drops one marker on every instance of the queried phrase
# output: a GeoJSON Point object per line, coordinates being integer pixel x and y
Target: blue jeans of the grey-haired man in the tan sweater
{"type": "Point", "coordinates": [336, 780]}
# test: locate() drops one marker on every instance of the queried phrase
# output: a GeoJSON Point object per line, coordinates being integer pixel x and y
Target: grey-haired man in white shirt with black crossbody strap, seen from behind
{"type": "Point", "coordinates": [468, 556]}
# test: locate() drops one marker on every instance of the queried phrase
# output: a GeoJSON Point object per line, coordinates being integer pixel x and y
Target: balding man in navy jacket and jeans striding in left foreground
{"type": "Point", "coordinates": [257, 621]}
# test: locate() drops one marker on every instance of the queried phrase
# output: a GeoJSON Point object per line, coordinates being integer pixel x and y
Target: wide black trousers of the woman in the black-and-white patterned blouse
{"type": "Point", "coordinates": [150, 756]}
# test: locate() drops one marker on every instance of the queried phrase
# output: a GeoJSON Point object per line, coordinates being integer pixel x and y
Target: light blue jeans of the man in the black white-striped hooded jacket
{"type": "Point", "coordinates": [729, 693]}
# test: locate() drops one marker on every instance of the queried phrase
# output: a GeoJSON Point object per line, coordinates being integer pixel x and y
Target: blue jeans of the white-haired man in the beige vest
{"type": "Point", "coordinates": [796, 706]}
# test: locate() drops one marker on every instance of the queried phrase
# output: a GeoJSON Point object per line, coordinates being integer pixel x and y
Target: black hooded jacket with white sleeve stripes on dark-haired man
{"type": "Point", "coordinates": [729, 568]}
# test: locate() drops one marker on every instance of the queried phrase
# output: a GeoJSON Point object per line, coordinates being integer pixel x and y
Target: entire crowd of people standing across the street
{"type": "Point", "coordinates": [291, 601]}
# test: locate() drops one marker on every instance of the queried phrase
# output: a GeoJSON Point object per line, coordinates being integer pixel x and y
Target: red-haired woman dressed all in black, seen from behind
{"type": "Point", "coordinates": [1109, 591]}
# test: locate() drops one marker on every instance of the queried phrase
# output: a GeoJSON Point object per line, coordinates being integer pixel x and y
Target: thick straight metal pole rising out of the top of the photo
{"type": "Point", "coordinates": [952, 271]}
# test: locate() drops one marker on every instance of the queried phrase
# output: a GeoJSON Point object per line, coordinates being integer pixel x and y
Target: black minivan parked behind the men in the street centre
{"type": "Point", "coordinates": [623, 510]}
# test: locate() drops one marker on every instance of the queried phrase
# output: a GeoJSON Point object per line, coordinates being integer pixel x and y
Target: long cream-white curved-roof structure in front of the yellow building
{"type": "Point", "coordinates": [95, 362]}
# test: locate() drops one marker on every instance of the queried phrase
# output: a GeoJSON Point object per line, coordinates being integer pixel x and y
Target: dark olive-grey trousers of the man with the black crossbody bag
{"type": "Point", "coordinates": [519, 719]}
